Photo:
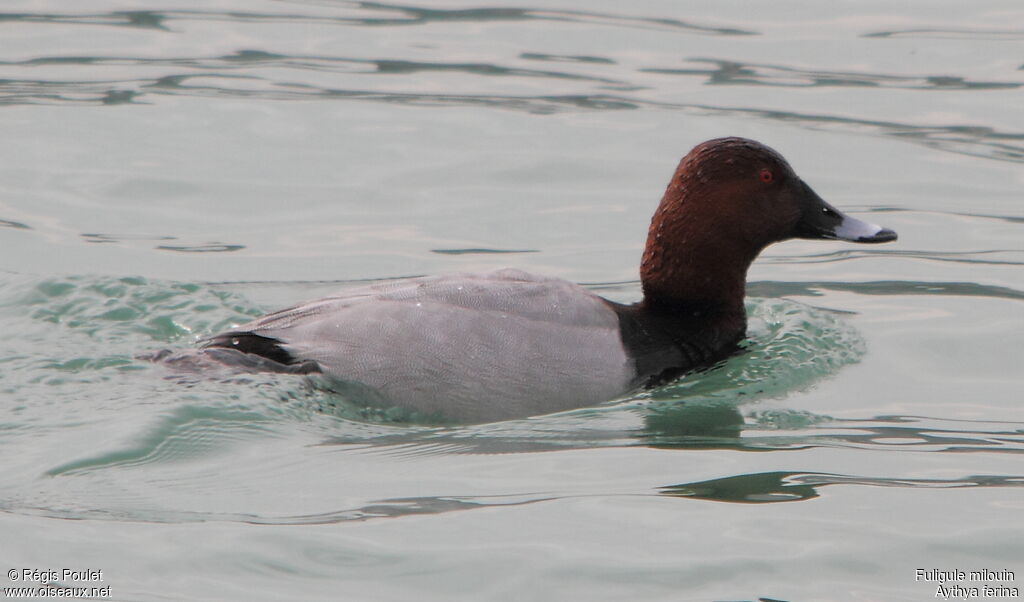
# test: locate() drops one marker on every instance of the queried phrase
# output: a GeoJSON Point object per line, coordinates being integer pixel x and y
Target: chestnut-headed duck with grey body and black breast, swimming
{"type": "Point", "coordinates": [508, 345]}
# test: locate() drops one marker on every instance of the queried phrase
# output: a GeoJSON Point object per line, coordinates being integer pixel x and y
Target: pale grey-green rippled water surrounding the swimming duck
{"type": "Point", "coordinates": [167, 171]}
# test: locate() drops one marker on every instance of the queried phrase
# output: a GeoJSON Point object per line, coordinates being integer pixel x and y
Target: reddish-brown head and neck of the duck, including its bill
{"type": "Point", "coordinates": [729, 200]}
